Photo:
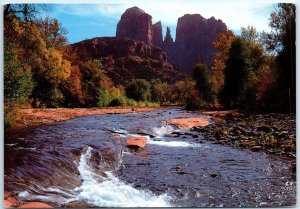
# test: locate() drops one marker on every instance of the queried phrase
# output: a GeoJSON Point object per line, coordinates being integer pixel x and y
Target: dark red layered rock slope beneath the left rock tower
{"type": "Point", "coordinates": [126, 59]}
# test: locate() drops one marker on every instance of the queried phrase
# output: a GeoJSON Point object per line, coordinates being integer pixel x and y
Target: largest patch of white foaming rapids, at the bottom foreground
{"type": "Point", "coordinates": [109, 191]}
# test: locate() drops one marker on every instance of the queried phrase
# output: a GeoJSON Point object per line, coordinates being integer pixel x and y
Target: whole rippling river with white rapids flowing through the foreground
{"type": "Point", "coordinates": [85, 159]}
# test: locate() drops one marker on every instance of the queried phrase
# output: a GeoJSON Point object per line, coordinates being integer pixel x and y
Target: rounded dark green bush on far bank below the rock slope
{"type": "Point", "coordinates": [139, 90]}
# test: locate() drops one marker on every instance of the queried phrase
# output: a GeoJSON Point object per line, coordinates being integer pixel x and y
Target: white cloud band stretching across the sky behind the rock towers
{"type": "Point", "coordinates": [235, 14]}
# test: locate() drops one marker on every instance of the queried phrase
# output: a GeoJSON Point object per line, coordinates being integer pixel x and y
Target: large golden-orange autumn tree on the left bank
{"type": "Point", "coordinates": [46, 62]}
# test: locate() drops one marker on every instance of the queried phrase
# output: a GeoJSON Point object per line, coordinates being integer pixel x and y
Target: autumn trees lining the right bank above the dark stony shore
{"type": "Point", "coordinates": [253, 71]}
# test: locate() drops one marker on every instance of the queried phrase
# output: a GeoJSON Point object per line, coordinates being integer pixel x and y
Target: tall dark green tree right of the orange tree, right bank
{"type": "Point", "coordinates": [246, 57]}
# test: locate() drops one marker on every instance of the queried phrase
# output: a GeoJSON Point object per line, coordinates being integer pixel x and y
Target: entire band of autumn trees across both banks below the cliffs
{"type": "Point", "coordinates": [251, 71]}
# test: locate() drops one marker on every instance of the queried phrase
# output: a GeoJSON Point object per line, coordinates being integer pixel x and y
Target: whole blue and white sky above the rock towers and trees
{"type": "Point", "coordinates": [84, 21]}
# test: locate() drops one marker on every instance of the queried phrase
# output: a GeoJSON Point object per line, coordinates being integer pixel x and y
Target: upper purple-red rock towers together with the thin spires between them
{"type": "Point", "coordinates": [194, 36]}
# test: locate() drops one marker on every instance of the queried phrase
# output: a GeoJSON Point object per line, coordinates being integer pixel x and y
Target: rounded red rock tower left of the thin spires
{"type": "Point", "coordinates": [135, 24]}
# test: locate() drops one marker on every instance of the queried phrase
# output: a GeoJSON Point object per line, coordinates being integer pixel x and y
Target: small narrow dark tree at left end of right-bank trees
{"type": "Point", "coordinates": [202, 77]}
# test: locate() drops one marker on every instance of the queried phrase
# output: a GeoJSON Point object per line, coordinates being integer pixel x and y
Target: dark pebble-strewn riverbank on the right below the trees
{"type": "Point", "coordinates": [273, 134]}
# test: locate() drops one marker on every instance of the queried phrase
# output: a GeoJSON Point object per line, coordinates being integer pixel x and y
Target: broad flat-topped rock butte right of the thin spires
{"type": "Point", "coordinates": [194, 38]}
